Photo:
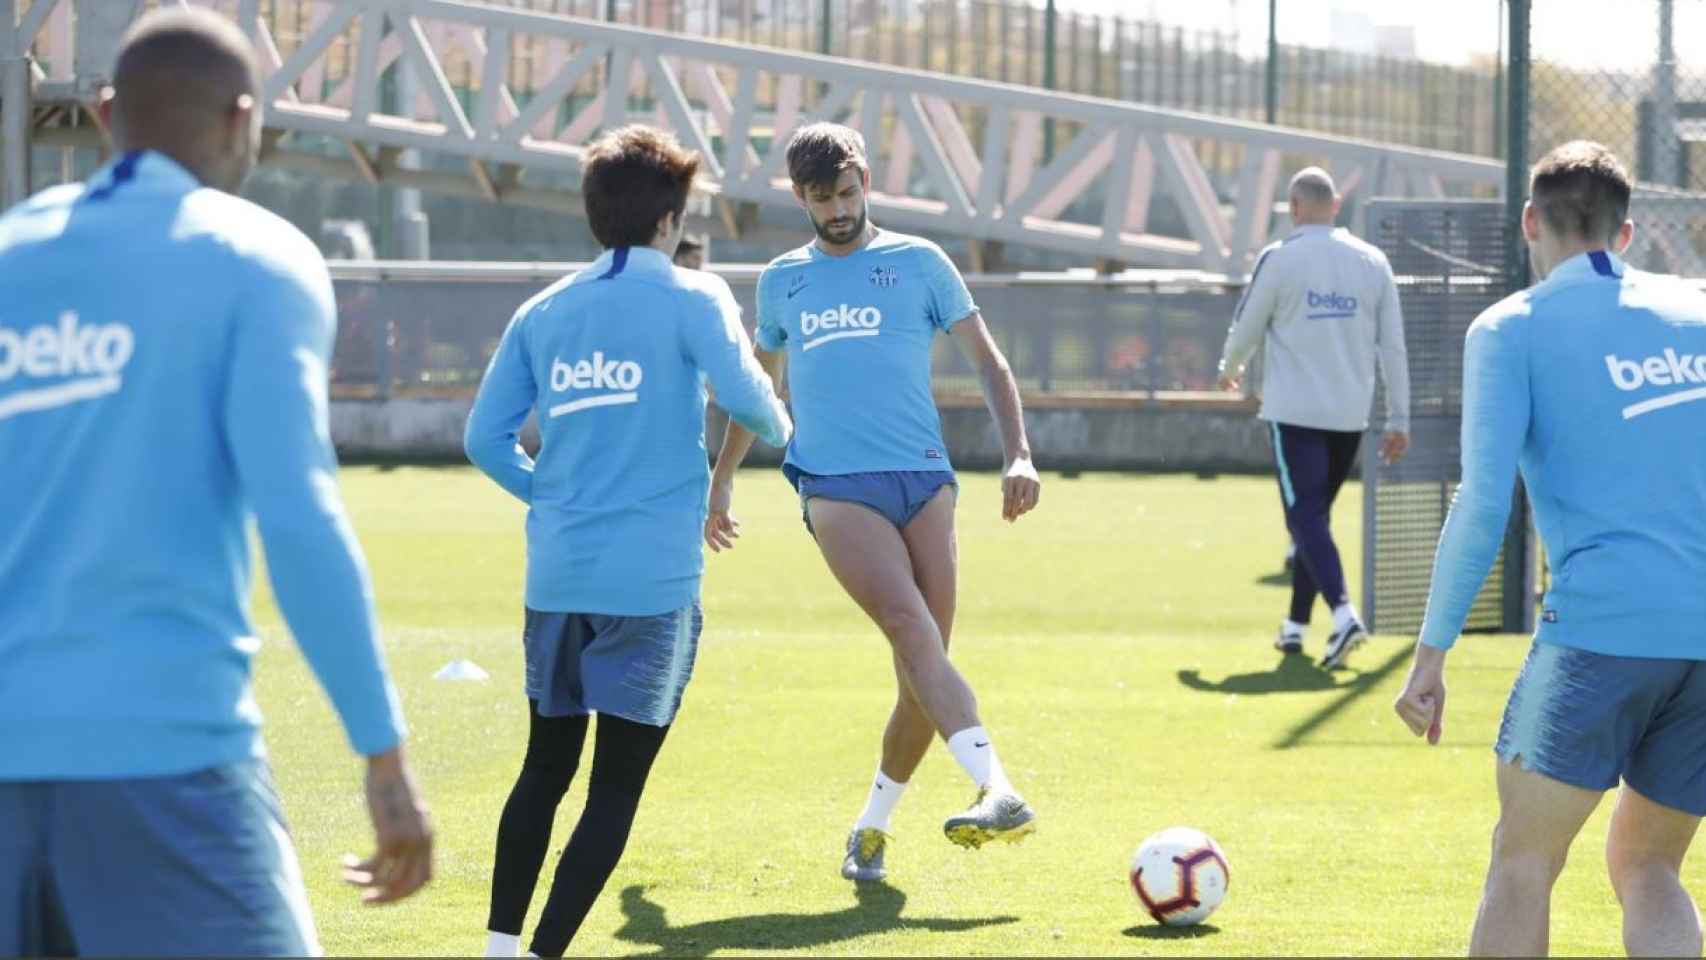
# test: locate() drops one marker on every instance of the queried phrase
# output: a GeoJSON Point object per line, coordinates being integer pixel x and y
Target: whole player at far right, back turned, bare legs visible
{"type": "Point", "coordinates": [1593, 383]}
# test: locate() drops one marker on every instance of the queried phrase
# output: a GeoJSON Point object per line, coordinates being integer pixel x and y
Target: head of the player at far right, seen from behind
{"type": "Point", "coordinates": [1579, 200]}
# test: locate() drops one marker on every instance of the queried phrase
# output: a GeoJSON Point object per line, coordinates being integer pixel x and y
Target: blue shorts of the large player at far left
{"type": "Point", "coordinates": [190, 865]}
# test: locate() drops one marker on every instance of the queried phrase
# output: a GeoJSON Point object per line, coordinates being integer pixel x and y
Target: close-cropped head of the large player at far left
{"type": "Point", "coordinates": [187, 84]}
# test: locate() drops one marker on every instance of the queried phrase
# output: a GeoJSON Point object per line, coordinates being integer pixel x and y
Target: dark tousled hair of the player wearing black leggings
{"type": "Point", "coordinates": [634, 176]}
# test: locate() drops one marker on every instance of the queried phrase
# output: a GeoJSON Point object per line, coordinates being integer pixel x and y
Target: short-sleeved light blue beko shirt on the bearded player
{"type": "Point", "coordinates": [859, 332]}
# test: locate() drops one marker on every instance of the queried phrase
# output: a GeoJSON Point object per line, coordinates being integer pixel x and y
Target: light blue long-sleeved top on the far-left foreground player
{"type": "Point", "coordinates": [163, 379]}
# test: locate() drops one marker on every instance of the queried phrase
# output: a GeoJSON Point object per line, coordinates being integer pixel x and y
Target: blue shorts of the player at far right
{"type": "Point", "coordinates": [1591, 720]}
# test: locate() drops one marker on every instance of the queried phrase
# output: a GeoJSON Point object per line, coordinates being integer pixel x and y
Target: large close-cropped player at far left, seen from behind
{"type": "Point", "coordinates": [163, 374]}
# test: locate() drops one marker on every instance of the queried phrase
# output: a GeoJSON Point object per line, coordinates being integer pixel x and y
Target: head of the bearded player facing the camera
{"type": "Point", "coordinates": [832, 180]}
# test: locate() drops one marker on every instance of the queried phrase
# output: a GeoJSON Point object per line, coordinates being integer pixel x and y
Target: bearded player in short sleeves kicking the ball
{"type": "Point", "coordinates": [852, 316]}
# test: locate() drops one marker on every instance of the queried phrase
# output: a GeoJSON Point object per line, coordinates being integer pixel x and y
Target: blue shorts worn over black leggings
{"type": "Point", "coordinates": [629, 668]}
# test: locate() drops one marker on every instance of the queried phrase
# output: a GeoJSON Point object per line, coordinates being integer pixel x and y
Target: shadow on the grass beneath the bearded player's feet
{"type": "Point", "coordinates": [878, 911]}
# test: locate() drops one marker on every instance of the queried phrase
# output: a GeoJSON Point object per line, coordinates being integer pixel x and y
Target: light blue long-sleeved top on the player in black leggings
{"type": "Point", "coordinates": [613, 361]}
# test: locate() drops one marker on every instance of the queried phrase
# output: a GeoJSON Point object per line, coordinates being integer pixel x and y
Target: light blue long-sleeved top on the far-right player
{"type": "Point", "coordinates": [1594, 386]}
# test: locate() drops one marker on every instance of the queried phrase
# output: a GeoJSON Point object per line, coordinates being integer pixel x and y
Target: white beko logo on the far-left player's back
{"type": "Point", "coordinates": [91, 356]}
